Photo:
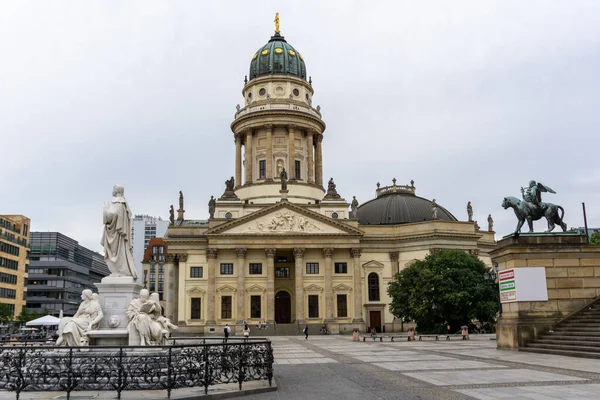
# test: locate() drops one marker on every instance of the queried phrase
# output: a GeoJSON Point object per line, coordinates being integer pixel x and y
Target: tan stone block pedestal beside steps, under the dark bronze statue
{"type": "Point", "coordinates": [572, 280]}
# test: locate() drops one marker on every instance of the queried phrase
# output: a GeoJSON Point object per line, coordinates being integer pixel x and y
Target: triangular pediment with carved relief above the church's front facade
{"type": "Point", "coordinates": [284, 219]}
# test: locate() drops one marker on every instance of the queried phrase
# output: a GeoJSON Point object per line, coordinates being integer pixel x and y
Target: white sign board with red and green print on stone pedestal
{"type": "Point", "coordinates": [523, 284]}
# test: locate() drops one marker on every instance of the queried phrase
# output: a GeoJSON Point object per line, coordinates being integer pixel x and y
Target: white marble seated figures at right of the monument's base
{"type": "Point", "coordinates": [146, 321]}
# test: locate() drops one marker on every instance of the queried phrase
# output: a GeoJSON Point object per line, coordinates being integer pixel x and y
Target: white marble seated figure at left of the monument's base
{"type": "Point", "coordinates": [73, 331]}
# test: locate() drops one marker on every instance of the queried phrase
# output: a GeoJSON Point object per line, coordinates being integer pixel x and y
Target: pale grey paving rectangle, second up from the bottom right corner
{"type": "Point", "coordinates": [483, 377]}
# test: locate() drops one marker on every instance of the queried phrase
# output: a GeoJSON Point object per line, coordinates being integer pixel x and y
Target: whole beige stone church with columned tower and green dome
{"type": "Point", "coordinates": [284, 247]}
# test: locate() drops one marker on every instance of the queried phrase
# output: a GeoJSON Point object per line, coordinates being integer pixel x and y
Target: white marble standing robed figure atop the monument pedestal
{"type": "Point", "coordinates": [116, 238]}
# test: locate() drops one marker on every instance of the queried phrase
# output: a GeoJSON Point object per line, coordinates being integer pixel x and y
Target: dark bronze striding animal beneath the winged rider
{"type": "Point", "coordinates": [531, 212]}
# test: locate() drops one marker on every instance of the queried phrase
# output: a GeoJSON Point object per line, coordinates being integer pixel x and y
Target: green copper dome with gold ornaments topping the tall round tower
{"type": "Point", "coordinates": [277, 57]}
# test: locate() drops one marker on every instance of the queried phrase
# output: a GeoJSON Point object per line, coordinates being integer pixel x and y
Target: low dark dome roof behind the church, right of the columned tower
{"type": "Point", "coordinates": [399, 208]}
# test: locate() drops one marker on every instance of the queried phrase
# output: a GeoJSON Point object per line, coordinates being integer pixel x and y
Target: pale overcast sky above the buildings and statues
{"type": "Point", "coordinates": [471, 99]}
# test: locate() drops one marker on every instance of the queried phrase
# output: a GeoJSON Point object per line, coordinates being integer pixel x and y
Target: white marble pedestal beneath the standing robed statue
{"type": "Point", "coordinates": [114, 295]}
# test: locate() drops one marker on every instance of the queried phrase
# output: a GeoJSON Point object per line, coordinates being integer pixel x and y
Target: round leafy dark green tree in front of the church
{"type": "Point", "coordinates": [447, 287]}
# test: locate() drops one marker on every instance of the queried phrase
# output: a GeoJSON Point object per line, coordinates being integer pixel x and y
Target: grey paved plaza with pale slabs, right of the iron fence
{"type": "Point", "coordinates": [335, 367]}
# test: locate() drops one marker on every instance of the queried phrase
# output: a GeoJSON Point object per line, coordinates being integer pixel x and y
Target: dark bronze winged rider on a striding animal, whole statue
{"type": "Point", "coordinates": [531, 208]}
